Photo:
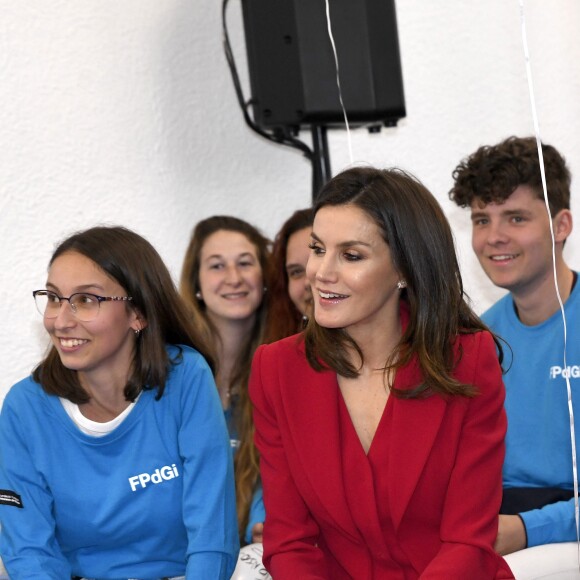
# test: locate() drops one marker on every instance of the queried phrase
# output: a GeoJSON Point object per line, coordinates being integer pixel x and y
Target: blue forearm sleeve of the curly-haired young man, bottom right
{"type": "Point", "coordinates": [551, 524]}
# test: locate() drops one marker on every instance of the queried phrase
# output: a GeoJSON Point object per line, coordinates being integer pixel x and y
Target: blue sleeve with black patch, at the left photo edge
{"type": "Point", "coordinates": [28, 544]}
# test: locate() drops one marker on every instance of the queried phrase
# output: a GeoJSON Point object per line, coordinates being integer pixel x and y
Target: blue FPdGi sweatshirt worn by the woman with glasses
{"type": "Point", "coordinates": [153, 498]}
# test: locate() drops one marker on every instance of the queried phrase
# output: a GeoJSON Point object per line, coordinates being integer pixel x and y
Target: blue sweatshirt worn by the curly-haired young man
{"type": "Point", "coordinates": [538, 444]}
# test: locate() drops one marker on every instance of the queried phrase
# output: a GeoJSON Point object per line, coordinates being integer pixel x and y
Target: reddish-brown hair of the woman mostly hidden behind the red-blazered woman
{"type": "Point", "coordinates": [284, 319]}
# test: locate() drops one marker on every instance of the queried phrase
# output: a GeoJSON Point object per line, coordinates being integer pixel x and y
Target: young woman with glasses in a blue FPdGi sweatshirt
{"type": "Point", "coordinates": [114, 454]}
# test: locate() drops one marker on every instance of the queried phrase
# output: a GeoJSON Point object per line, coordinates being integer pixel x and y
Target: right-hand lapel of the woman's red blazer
{"type": "Point", "coordinates": [415, 426]}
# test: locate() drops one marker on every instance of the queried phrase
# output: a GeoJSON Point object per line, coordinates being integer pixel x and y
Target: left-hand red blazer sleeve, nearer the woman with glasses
{"type": "Point", "coordinates": [290, 532]}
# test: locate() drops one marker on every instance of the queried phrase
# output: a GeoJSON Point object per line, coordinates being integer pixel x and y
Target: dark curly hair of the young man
{"type": "Point", "coordinates": [492, 173]}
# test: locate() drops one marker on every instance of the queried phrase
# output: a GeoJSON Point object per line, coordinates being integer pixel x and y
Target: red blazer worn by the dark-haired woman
{"type": "Point", "coordinates": [445, 463]}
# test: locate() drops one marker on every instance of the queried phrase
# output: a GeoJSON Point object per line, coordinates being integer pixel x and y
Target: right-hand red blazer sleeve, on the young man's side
{"type": "Point", "coordinates": [470, 515]}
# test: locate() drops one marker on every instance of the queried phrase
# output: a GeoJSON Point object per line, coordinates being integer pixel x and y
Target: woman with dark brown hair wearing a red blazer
{"type": "Point", "coordinates": [381, 428]}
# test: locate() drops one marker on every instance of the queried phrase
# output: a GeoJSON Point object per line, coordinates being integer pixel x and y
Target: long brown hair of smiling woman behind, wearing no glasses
{"type": "Point", "coordinates": [246, 461]}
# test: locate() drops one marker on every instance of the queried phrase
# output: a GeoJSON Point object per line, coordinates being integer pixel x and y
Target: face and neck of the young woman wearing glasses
{"type": "Point", "coordinates": [100, 350]}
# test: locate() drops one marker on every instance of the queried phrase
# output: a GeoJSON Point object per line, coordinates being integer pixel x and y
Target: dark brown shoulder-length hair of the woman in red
{"type": "Point", "coordinates": [422, 248]}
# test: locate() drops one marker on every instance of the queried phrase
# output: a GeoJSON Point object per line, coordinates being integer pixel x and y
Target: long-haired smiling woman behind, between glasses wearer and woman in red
{"type": "Point", "coordinates": [224, 281]}
